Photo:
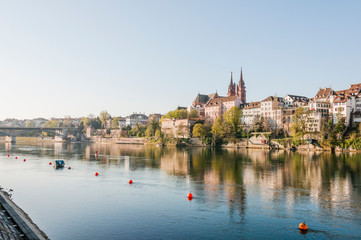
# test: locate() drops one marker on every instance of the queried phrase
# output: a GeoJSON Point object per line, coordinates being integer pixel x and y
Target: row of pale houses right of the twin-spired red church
{"type": "Point", "coordinates": [326, 104]}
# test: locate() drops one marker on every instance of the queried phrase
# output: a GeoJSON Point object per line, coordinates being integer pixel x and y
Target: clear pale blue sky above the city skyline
{"type": "Point", "coordinates": [75, 58]}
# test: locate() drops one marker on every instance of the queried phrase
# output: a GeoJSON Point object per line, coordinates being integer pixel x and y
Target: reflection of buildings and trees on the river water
{"type": "Point", "coordinates": [280, 184]}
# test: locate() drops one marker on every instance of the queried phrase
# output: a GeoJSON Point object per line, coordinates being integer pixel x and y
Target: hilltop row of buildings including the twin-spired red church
{"type": "Point", "coordinates": [276, 112]}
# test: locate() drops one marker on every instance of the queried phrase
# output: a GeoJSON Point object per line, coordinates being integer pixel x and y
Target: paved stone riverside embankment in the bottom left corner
{"type": "Point", "coordinates": [15, 223]}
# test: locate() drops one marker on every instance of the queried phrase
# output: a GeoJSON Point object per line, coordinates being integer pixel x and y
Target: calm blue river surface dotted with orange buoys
{"type": "Point", "coordinates": [238, 194]}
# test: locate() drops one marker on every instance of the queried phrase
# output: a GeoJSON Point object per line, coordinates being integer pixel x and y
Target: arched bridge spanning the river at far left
{"type": "Point", "coordinates": [60, 132]}
